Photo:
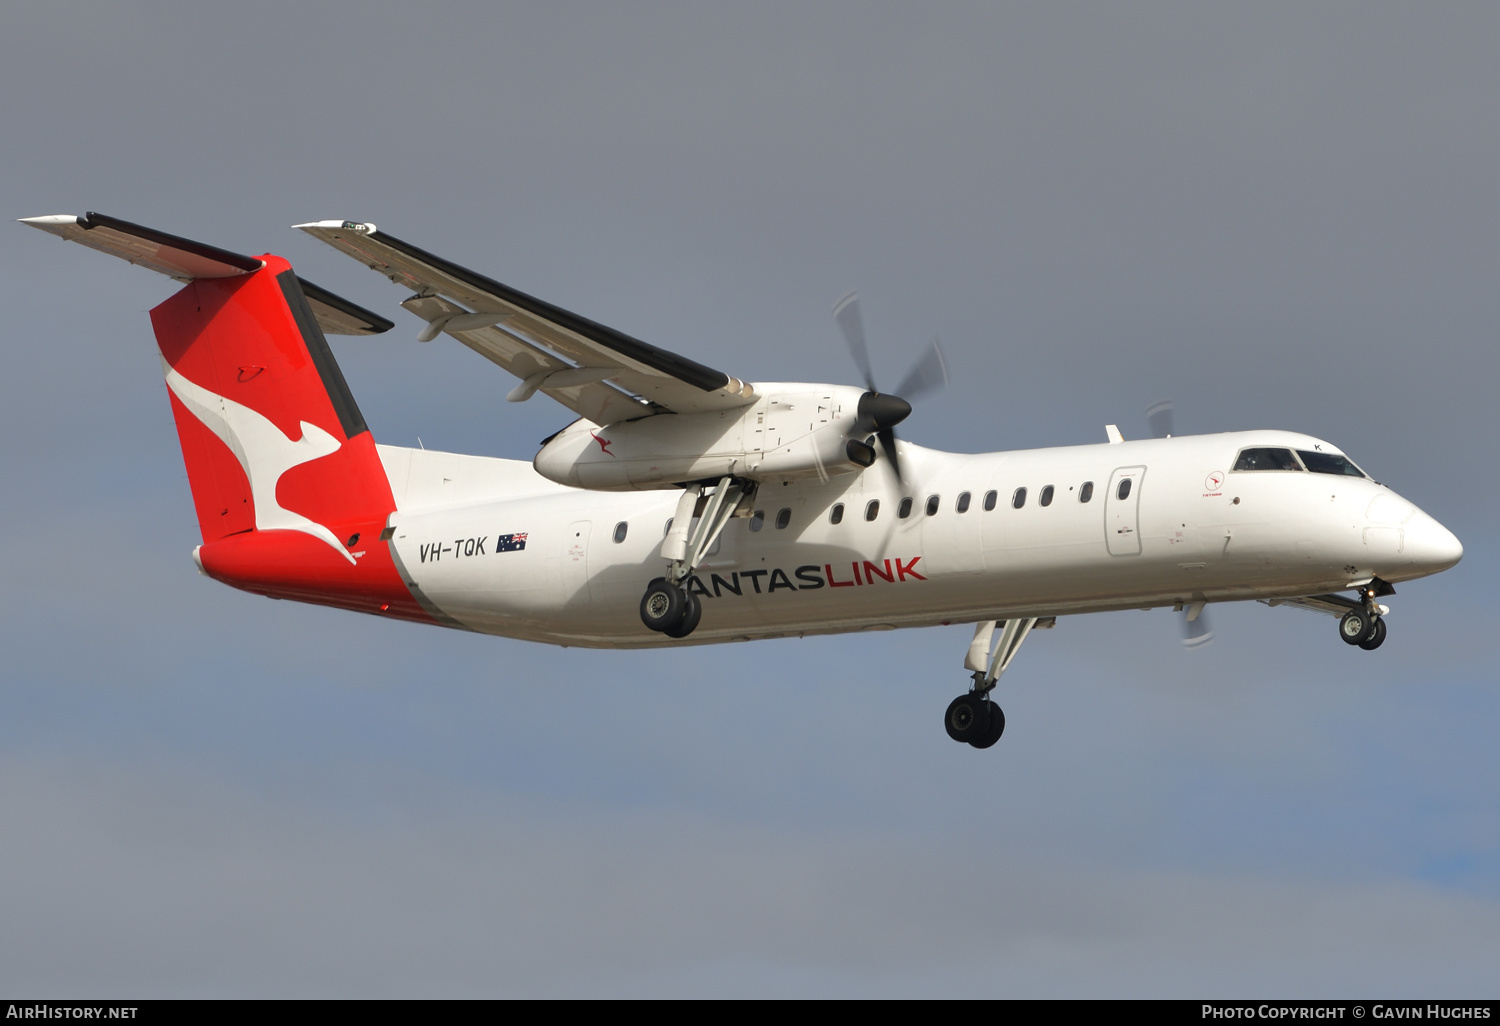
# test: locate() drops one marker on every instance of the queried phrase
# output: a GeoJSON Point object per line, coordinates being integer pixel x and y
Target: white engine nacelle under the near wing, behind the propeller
{"type": "Point", "coordinates": [793, 431]}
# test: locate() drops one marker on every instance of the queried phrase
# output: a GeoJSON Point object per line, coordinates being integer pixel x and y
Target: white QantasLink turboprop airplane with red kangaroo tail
{"type": "Point", "coordinates": [685, 506]}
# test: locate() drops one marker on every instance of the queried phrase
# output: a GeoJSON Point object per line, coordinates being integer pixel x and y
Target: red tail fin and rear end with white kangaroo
{"type": "Point", "coordinates": [290, 490]}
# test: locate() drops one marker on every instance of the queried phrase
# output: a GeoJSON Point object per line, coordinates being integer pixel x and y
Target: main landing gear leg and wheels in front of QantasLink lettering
{"type": "Point", "coordinates": [668, 607]}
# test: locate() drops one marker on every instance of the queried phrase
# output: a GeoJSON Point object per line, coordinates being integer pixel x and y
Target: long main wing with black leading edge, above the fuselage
{"type": "Point", "coordinates": [569, 358]}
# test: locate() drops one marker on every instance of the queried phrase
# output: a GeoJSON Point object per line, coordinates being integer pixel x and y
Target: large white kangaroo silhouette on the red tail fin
{"type": "Point", "coordinates": [263, 451]}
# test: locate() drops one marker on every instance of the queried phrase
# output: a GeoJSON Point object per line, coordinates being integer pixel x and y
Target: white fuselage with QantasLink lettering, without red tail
{"type": "Point", "coordinates": [1190, 530]}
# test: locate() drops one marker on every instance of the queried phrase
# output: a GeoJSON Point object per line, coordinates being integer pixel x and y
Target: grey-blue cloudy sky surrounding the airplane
{"type": "Point", "coordinates": [1279, 215]}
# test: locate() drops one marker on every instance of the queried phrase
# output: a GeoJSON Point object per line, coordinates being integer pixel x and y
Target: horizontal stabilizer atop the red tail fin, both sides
{"type": "Point", "coordinates": [185, 260]}
